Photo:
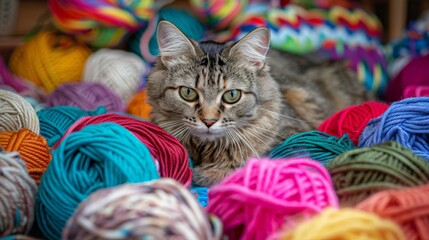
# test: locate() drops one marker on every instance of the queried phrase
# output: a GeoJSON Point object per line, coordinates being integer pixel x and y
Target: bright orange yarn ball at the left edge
{"type": "Point", "coordinates": [32, 148]}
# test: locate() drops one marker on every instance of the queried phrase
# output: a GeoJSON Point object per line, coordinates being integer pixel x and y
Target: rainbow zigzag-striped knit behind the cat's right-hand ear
{"type": "Point", "coordinates": [299, 30]}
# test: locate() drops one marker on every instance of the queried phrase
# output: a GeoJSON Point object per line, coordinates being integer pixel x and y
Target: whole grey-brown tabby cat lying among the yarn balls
{"type": "Point", "coordinates": [227, 102]}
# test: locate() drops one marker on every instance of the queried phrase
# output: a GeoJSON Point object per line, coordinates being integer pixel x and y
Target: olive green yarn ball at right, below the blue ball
{"type": "Point", "coordinates": [359, 173]}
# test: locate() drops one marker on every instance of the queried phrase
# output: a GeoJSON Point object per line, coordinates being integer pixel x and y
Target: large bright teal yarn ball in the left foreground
{"type": "Point", "coordinates": [98, 156]}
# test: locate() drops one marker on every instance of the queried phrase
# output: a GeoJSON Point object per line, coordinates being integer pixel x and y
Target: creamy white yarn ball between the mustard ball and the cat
{"type": "Point", "coordinates": [119, 70]}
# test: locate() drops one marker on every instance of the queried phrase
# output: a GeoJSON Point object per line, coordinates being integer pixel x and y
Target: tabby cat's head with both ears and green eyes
{"type": "Point", "coordinates": [208, 90]}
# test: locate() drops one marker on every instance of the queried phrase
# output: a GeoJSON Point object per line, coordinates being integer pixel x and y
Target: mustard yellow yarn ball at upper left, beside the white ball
{"type": "Point", "coordinates": [49, 60]}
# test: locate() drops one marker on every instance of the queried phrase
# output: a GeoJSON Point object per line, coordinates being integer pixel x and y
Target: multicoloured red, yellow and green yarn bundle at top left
{"type": "Point", "coordinates": [102, 23]}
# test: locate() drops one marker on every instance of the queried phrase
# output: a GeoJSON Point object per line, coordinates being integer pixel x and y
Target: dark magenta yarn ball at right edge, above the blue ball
{"type": "Point", "coordinates": [414, 73]}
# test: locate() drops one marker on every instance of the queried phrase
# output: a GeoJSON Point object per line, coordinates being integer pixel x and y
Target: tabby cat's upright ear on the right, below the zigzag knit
{"type": "Point", "coordinates": [253, 47]}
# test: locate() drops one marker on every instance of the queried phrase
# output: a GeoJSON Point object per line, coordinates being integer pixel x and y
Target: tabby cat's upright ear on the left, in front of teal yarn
{"type": "Point", "coordinates": [174, 46]}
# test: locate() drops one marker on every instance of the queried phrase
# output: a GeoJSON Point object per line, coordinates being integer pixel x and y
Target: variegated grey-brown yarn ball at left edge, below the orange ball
{"type": "Point", "coordinates": [17, 195]}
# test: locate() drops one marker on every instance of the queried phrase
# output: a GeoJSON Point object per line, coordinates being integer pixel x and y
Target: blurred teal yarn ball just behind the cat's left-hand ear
{"type": "Point", "coordinates": [144, 43]}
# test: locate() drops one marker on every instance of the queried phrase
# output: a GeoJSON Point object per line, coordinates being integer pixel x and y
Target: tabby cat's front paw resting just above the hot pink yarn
{"type": "Point", "coordinates": [208, 176]}
